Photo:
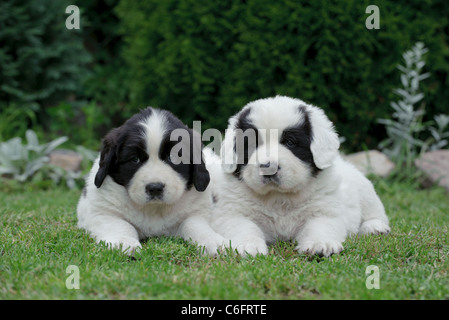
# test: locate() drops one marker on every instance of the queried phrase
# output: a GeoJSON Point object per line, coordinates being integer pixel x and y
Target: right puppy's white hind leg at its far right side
{"type": "Point", "coordinates": [374, 219]}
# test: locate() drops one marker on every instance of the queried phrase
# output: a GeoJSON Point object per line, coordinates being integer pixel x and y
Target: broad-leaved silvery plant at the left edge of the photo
{"type": "Point", "coordinates": [21, 161]}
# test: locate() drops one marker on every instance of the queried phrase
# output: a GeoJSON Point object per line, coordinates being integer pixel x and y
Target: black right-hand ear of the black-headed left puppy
{"type": "Point", "coordinates": [201, 177]}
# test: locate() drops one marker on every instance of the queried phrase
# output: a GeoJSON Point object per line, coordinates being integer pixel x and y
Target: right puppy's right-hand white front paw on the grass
{"type": "Point", "coordinates": [322, 236]}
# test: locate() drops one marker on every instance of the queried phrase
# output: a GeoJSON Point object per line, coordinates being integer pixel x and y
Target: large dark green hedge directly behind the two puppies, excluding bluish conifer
{"type": "Point", "coordinates": [205, 59]}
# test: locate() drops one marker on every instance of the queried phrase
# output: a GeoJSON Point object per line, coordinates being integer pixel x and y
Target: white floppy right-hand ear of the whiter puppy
{"type": "Point", "coordinates": [325, 142]}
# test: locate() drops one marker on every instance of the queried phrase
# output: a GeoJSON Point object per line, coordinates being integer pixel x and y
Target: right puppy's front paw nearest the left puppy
{"type": "Point", "coordinates": [244, 235]}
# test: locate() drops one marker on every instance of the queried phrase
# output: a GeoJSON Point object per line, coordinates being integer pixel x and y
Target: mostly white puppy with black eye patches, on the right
{"type": "Point", "coordinates": [283, 178]}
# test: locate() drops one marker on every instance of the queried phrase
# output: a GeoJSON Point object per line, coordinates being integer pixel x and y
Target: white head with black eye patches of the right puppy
{"type": "Point", "coordinates": [279, 144]}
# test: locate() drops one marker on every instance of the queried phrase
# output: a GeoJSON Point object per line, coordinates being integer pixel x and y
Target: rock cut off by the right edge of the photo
{"type": "Point", "coordinates": [435, 165]}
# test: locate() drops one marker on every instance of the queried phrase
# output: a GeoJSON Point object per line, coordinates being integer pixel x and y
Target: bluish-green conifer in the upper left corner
{"type": "Point", "coordinates": [40, 59]}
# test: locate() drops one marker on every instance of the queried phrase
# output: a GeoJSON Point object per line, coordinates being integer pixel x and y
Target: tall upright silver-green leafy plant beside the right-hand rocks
{"type": "Point", "coordinates": [406, 128]}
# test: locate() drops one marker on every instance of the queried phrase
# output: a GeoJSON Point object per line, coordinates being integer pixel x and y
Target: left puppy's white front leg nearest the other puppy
{"type": "Point", "coordinates": [198, 230]}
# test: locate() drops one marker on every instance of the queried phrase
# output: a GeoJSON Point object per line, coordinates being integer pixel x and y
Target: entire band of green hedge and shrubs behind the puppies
{"type": "Point", "coordinates": [205, 59]}
